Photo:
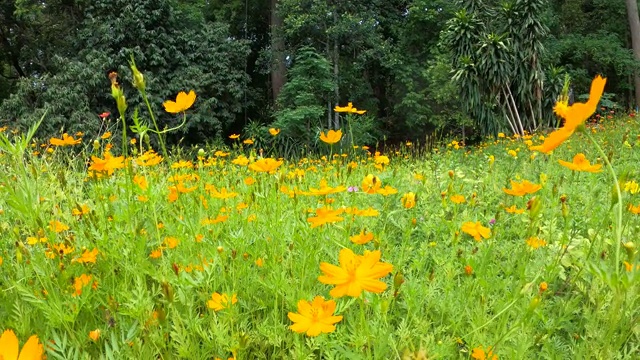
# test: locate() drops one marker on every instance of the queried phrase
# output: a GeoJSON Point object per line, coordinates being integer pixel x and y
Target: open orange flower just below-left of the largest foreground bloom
{"type": "Point", "coordinates": [314, 317]}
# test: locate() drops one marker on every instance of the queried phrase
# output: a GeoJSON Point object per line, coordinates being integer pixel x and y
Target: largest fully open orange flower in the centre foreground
{"type": "Point", "coordinates": [355, 273]}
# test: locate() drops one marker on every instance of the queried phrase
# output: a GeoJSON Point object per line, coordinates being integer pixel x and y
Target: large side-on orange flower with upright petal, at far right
{"type": "Point", "coordinates": [574, 115]}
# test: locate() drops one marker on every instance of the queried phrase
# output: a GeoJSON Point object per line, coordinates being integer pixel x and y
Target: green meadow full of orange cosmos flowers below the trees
{"type": "Point", "coordinates": [517, 248]}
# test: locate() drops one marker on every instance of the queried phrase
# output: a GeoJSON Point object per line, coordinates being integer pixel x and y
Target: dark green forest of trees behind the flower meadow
{"type": "Point", "coordinates": [421, 68]}
